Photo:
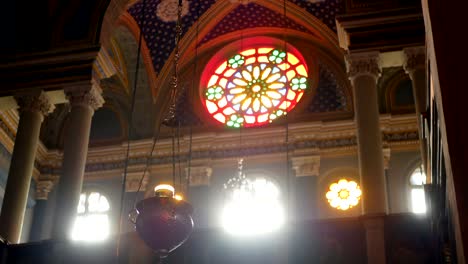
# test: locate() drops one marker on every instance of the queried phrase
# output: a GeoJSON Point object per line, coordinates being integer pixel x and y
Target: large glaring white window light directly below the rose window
{"type": "Point", "coordinates": [253, 209]}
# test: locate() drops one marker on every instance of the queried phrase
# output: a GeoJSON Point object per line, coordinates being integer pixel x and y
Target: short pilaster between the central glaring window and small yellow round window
{"type": "Point", "coordinates": [306, 192]}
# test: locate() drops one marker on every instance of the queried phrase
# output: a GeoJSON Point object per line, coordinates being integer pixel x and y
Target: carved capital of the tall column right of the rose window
{"type": "Point", "coordinates": [363, 64]}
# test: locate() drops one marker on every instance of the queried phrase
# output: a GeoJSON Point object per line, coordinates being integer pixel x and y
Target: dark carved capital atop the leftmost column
{"type": "Point", "coordinates": [34, 103]}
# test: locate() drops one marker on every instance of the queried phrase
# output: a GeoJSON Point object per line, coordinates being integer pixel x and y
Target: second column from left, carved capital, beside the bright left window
{"type": "Point", "coordinates": [83, 101]}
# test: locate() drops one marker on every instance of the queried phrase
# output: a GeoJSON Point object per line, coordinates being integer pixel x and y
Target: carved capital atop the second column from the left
{"type": "Point", "coordinates": [86, 95]}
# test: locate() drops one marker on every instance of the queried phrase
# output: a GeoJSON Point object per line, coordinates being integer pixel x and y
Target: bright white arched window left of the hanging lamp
{"type": "Point", "coordinates": [92, 221]}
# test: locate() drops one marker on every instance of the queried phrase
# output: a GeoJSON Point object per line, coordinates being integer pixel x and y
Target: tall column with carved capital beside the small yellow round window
{"type": "Point", "coordinates": [364, 71]}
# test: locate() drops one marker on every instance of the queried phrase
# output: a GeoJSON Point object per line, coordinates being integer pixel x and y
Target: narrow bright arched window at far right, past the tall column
{"type": "Point", "coordinates": [418, 199]}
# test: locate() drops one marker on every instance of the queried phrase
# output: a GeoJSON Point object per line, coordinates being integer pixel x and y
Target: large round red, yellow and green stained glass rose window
{"type": "Point", "coordinates": [255, 87]}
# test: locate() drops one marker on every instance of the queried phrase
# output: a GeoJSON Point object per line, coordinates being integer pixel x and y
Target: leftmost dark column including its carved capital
{"type": "Point", "coordinates": [32, 109]}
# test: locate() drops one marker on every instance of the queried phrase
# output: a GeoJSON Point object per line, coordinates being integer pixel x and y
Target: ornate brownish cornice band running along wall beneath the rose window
{"type": "Point", "coordinates": [306, 139]}
